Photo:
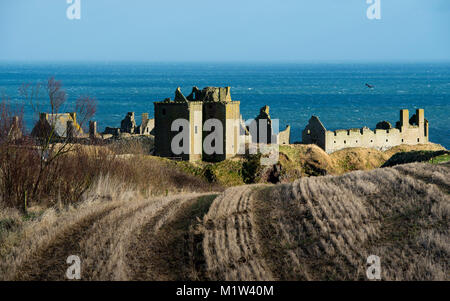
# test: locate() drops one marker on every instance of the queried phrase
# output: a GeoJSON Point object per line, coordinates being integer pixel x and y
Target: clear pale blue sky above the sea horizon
{"type": "Point", "coordinates": [232, 30]}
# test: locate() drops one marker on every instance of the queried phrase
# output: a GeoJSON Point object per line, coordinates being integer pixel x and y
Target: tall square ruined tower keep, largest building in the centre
{"type": "Point", "coordinates": [197, 108]}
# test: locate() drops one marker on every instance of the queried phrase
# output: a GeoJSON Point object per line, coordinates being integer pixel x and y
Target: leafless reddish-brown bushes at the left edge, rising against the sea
{"type": "Point", "coordinates": [34, 169]}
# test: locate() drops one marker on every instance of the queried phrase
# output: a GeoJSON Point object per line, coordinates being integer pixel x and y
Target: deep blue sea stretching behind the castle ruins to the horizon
{"type": "Point", "coordinates": [294, 92]}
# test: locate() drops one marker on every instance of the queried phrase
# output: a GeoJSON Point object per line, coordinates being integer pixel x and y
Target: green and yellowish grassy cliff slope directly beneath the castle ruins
{"type": "Point", "coordinates": [299, 160]}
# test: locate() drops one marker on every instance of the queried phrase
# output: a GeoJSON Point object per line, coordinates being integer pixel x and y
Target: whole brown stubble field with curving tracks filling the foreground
{"type": "Point", "coordinates": [316, 228]}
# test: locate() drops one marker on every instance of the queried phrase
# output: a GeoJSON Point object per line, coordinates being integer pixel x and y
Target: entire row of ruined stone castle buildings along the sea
{"type": "Point", "coordinates": [188, 119]}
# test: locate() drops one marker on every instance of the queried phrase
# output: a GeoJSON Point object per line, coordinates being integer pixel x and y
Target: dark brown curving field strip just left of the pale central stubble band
{"type": "Point", "coordinates": [169, 246]}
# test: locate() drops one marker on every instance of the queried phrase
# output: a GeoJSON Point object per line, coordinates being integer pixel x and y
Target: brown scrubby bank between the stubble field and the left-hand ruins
{"type": "Point", "coordinates": [75, 172]}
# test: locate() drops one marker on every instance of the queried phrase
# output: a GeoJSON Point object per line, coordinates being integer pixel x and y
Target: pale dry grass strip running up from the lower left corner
{"type": "Point", "coordinates": [23, 248]}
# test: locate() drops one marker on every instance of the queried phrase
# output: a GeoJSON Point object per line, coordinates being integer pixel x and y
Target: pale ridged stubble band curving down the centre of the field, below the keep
{"type": "Point", "coordinates": [230, 245]}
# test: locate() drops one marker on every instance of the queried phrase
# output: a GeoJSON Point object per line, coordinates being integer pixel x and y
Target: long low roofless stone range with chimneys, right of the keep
{"type": "Point", "coordinates": [407, 131]}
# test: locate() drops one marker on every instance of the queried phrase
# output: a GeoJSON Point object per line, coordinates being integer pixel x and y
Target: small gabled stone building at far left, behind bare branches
{"type": "Point", "coordinates": [61, 125]}
